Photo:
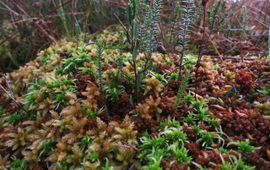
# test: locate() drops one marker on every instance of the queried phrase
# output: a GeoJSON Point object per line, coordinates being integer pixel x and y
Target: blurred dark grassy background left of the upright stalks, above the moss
{"type": "Point", "coordinates": [28, 26]}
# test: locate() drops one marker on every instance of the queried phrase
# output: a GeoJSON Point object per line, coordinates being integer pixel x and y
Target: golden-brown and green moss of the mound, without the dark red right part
{"type": "Point", "coordinates": [66, 127]}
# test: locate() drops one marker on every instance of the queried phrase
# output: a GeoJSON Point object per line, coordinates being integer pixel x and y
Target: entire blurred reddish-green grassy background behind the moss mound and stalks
{"type": "Point", "coordinates": [28, 26]}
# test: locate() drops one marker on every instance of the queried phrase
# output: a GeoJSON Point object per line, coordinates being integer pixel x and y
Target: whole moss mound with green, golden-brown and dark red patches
{"type": "Point", "coordinates": [78, 111]}
